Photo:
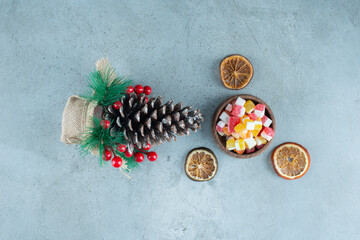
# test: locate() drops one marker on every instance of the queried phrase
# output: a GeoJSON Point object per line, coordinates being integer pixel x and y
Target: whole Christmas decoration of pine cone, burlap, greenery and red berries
{"type": "Point", "coordinates": [118, 122]}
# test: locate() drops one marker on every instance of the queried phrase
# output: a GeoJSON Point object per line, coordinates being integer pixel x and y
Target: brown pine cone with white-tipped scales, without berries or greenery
{"type": "Point", "coordinates": [151, 122]}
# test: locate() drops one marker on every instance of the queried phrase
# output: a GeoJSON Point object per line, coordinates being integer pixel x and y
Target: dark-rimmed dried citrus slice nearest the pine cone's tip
{"type": "Point", "coordinates": [201, 164]}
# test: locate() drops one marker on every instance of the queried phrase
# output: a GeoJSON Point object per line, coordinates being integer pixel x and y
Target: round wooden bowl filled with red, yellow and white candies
{"type": "Point", "coordinates": [243, 126]}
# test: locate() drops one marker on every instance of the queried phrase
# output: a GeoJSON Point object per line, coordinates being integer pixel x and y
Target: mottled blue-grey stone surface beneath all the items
{"type": "Point", "coordinates": [306, 67]}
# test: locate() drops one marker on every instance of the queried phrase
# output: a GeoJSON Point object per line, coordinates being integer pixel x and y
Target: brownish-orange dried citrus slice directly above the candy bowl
{"type": "Point", "coordinates": [236, 72]}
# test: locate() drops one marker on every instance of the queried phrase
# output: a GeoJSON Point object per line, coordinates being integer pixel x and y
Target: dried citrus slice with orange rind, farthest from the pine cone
{"type": "Point", "coordinates": [290, 160]}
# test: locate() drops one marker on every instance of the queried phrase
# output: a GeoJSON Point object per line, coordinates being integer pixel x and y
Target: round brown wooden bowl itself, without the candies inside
{"type": "Point", "coordinates": [221, 140]}
